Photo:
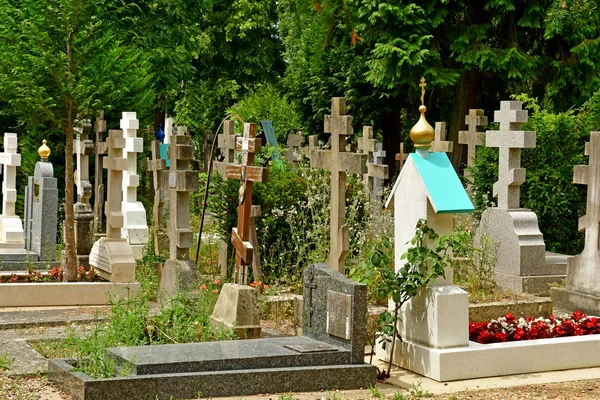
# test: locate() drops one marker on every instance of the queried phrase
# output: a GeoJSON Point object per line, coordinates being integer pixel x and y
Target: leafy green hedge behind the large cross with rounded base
{"type": "Point", "coordinates": [549, 190]}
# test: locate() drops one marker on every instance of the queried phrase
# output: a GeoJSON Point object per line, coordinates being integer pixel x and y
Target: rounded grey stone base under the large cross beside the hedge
{"type": "Point", "coordinates": [521, 262]}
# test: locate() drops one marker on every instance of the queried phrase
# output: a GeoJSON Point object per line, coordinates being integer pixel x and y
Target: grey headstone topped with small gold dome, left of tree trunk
{"type": "Point", "coordinates": [41, 209]}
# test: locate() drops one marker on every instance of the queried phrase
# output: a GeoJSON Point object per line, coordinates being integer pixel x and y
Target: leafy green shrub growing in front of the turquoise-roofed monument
{"type": "Point", "coordinates": [423, 265]}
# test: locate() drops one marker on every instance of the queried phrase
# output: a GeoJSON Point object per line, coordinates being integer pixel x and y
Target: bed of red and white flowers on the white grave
{"type": "Point", "coordinates": [510, 329]}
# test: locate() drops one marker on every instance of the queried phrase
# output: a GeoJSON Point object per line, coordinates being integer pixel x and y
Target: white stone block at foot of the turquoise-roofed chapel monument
{"type": "Point", "coordinates": [437, 317]}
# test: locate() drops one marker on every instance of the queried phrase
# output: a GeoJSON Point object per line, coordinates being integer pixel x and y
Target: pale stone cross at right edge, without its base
{"type": "Point", "coordinates": [590, 175]}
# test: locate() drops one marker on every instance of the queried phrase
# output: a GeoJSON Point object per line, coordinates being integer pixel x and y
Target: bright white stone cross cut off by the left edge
{"type": "Point", "coordinates": [11, 228]}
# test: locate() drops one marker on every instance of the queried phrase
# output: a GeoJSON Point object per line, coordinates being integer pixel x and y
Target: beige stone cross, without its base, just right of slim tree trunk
{"type": "Point", "coordinates": [115, 164]}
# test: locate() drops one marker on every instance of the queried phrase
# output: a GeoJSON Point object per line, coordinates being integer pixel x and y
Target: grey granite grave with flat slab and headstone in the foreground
{"type": "Point", "coordinates": [329, 356]}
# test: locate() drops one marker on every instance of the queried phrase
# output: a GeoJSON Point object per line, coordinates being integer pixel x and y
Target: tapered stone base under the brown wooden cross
{"type": "Point", "coordinates": [237, 309]}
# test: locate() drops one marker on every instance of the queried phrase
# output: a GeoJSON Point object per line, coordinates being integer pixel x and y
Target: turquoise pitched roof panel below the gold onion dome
{"type": "Point", "coordinates": [446, 192]}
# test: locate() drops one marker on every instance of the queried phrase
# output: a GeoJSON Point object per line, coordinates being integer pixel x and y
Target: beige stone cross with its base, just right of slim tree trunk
{"type": "Point", "coordinates": [112, 255]}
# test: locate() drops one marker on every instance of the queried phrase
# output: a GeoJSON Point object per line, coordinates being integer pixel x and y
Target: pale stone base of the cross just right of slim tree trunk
{"type": "Point", "coordinates": [113, 260]}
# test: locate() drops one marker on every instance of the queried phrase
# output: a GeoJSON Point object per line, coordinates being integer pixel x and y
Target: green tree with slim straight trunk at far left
{"type": "Point", "coordinates": [61, 60]}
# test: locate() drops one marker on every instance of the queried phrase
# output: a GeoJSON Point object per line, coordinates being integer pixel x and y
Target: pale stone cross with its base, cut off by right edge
{"type": "Point", "coordinates": [583, 270]}
